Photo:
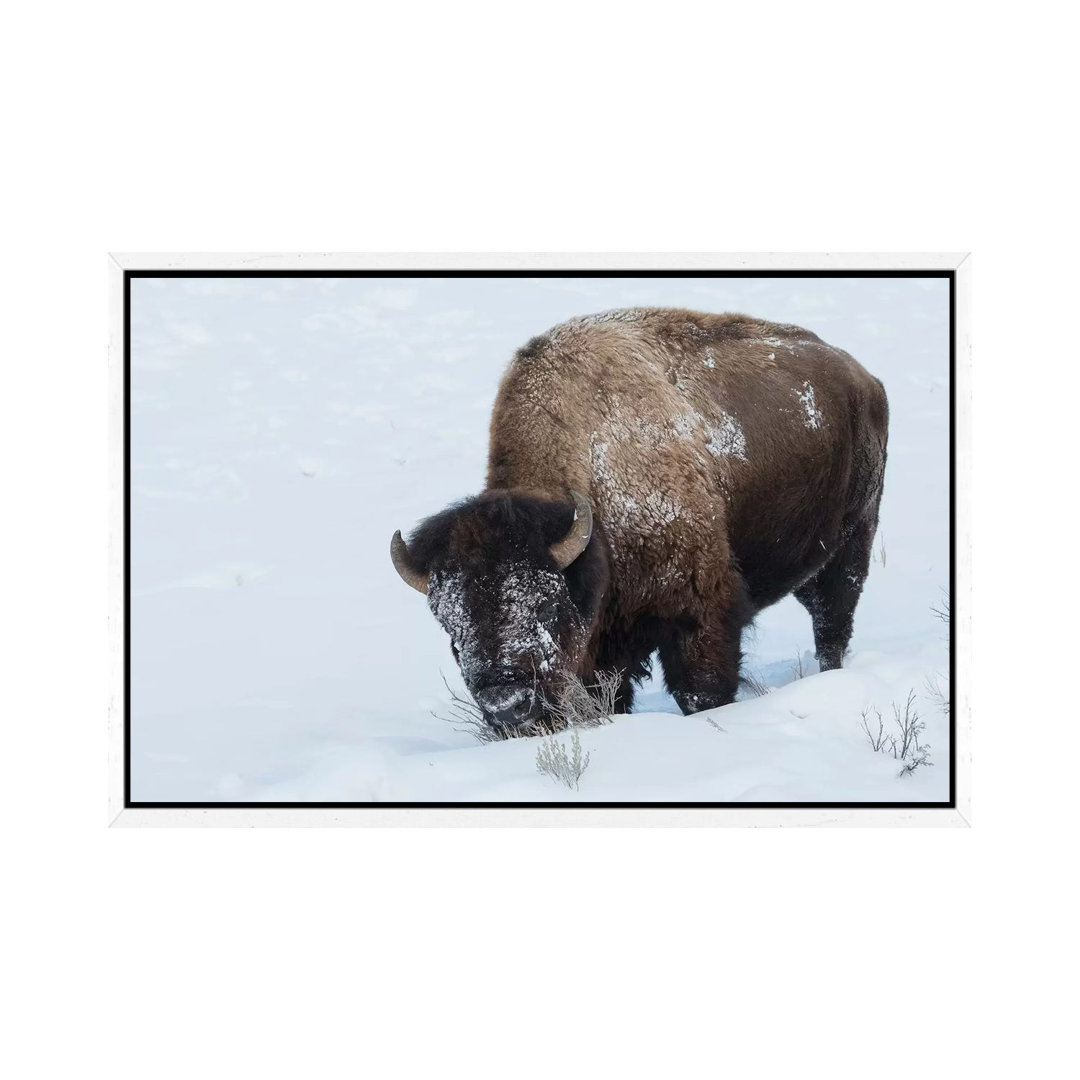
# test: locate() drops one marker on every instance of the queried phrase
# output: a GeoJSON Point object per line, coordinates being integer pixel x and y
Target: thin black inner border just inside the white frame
{"type": "Point", "coordinates": [646, 273]}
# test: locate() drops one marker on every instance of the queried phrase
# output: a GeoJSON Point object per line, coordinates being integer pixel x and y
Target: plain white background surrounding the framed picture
{"type": "Point", "coordinates": [412, 954]}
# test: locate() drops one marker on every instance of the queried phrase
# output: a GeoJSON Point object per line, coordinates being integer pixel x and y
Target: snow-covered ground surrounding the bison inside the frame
{"type": "Point", "coordinates": [283, 428]}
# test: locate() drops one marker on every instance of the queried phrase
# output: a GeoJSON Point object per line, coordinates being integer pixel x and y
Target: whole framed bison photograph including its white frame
{"type": "Point", "coordinates": [539, 539]}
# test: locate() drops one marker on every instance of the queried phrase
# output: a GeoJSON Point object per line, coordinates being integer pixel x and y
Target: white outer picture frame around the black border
{"type": "Point", "coordinates": [124, 815]}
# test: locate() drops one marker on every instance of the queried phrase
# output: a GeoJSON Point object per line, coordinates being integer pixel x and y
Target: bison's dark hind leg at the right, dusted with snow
{"type": "Point", "coordinates": [832, 595]}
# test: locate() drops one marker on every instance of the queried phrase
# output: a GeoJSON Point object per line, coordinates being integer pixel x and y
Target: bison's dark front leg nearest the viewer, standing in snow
{"type": "Point", "coordinates": [701, 665]}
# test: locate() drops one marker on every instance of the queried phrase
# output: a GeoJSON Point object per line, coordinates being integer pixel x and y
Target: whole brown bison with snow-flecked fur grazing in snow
{"type": "Point", "coordinates": [656, 478]}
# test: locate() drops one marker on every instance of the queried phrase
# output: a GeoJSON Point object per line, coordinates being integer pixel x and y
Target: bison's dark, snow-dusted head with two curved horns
{"type": "Point", "coordinates": [516, 579]}
